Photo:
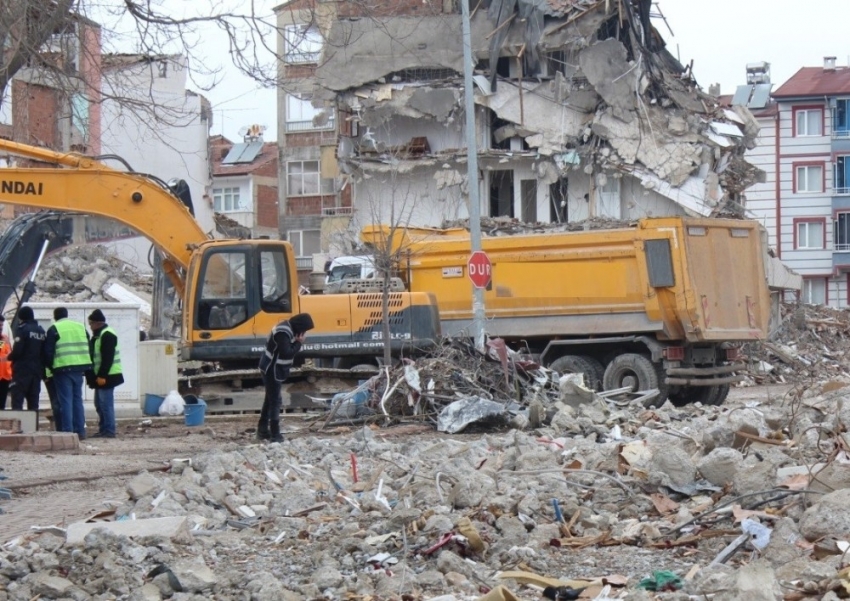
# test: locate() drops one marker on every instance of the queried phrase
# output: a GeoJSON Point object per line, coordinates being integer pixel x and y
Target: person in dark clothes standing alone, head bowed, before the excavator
{"type": "Point", "coordinates": [282, 345]}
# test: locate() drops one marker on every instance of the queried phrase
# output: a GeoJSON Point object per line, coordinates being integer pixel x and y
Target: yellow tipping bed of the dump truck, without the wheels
{"type": "Point", "coordinates": [676, 278]}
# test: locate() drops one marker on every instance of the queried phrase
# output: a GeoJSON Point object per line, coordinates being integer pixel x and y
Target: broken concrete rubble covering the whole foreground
{"type": "Point", "coordinates": [744, 502]}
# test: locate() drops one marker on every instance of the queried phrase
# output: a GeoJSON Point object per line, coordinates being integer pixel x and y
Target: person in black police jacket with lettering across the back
{"type": "Point", "coordinates": [27, 359]}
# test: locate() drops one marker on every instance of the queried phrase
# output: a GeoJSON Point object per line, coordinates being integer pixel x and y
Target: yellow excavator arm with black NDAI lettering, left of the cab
{"type": "Point", "coordinates": [89, 186]}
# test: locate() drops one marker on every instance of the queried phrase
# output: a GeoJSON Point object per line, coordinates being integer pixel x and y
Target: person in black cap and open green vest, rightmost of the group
{"type": "Point", "coordinates": [106, 372]}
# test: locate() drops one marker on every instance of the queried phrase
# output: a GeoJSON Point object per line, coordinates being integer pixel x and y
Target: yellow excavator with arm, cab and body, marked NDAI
{"type": "Point", "coordinates": [233, 291]}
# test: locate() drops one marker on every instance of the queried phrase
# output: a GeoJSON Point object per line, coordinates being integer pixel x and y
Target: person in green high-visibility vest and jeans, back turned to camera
{"type": "Point", "coordinates": [66, 354]}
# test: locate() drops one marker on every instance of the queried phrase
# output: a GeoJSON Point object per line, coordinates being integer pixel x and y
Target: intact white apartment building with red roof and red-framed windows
{"type": "Point", "coordinates": [804, 201]}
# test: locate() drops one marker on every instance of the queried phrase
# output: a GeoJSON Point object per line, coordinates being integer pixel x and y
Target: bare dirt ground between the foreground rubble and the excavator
{"type": "Point", "coordinates": [60, 488]}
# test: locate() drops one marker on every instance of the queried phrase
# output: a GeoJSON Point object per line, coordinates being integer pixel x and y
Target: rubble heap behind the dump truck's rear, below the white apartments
{"type": "Point", "coordinates": [811, 343]}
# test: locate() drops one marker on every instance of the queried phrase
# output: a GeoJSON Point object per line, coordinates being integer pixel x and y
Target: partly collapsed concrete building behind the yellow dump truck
{"type": "Point", "coordinates": [581, 113]}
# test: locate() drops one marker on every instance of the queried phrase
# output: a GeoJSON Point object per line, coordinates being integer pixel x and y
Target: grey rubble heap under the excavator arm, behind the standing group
{"type": "Point", "coordinates": [81, 273]}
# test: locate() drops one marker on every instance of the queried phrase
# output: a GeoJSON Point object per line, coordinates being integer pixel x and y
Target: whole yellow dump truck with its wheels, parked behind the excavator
{"type": "Point", "coordinates": [665, 304]}
